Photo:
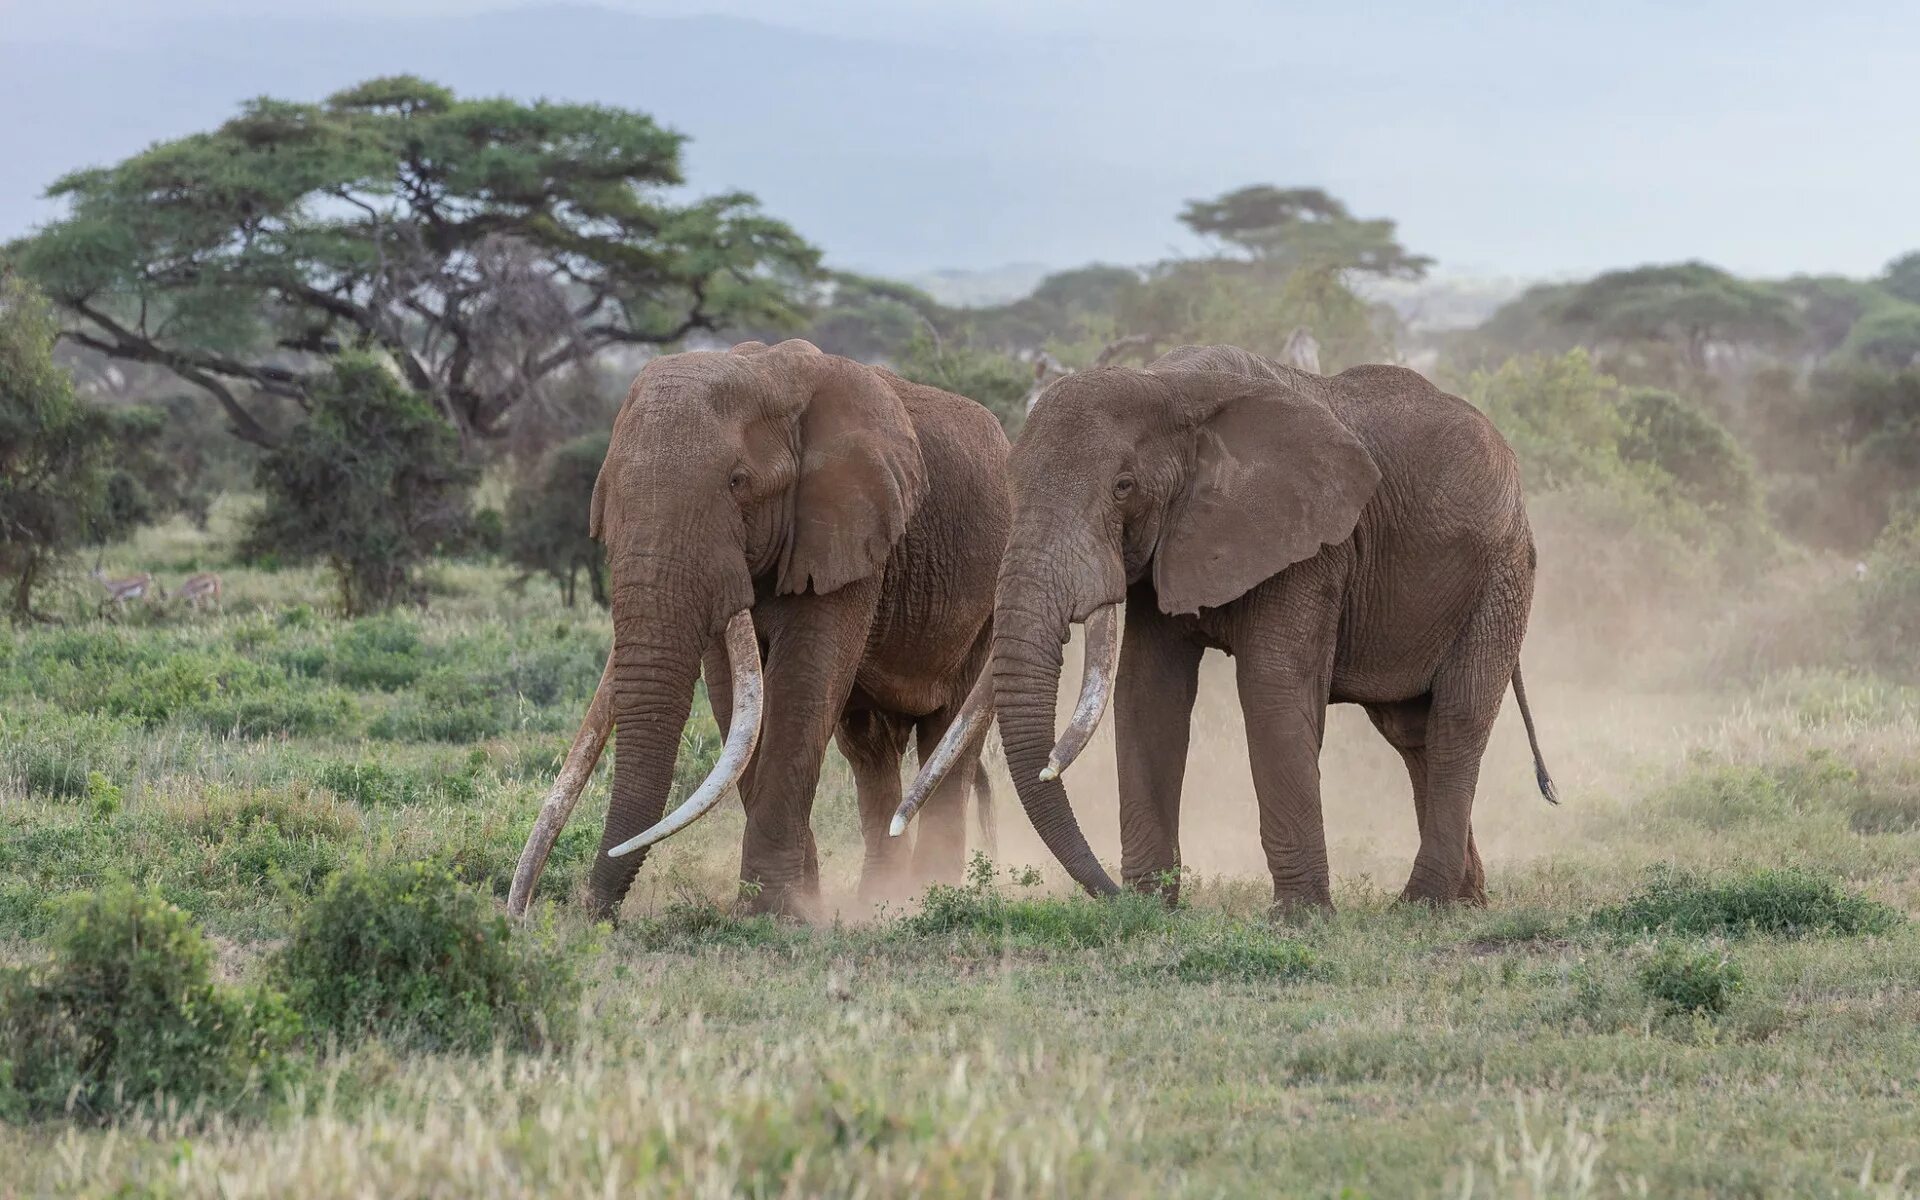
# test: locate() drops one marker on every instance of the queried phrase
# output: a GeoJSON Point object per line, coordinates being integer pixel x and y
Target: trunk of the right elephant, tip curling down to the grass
{"type": "Point", "coordinates": [1030, 627]}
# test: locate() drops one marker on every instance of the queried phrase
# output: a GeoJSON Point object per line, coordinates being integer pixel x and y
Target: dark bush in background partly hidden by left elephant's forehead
{"type": "Point", "coordinates": [548, 519]}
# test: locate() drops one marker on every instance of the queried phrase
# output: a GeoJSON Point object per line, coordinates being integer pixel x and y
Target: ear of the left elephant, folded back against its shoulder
{"type": "Point", "coordinates": [861, 477]}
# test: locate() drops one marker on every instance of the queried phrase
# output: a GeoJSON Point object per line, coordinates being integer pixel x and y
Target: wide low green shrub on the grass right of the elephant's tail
{"type": "Point", "coordinates": [1785, 901]}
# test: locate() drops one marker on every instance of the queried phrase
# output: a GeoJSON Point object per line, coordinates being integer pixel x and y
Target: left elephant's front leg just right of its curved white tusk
{"type": "Point", "coordinates": [813, 652]}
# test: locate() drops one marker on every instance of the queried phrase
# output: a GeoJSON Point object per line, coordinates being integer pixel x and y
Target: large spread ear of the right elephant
{"type": "Point", "coordinates": [1276, 477]}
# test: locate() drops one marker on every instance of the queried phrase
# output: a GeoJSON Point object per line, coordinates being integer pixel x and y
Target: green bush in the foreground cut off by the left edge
{"type": "Point", "coordinates": [128, 1011]}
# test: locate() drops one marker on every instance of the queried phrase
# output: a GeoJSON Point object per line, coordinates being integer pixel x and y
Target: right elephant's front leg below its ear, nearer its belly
{"type": "Point", "coordinates": [1285, 675]}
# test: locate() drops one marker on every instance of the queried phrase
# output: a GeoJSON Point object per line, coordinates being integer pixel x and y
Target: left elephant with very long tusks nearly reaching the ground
{"type": "Point", "coordinates": [830, 519]}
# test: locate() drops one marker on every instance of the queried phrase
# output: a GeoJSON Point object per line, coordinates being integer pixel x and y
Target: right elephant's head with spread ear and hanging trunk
{"type": "Point", "coordinates": [1205, 473]}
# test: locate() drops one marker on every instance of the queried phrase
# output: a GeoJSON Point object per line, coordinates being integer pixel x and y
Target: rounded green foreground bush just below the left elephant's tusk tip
{"type": "Point", "coordinates": [410, 951]}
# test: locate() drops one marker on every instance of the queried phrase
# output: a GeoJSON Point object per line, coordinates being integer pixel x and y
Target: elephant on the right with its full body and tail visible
{"type": "Point", "coordinates": [1355, 539]}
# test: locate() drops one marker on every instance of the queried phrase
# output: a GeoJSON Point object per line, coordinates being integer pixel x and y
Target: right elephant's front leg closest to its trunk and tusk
{"type": "Point", "coordinates": [1153, 723]}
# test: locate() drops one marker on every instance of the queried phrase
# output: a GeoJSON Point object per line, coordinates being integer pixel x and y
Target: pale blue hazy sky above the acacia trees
{"type": "Point", "coordinates": [1527, 139]}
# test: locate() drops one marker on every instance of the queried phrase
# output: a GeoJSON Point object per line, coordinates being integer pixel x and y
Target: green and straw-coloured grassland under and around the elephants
{"type": "Point", "coordinates": [1698, 976]}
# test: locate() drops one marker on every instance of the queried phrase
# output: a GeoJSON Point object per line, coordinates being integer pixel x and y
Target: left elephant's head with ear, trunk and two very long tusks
{"type": "Point", "coordinates": [731, 475]}
